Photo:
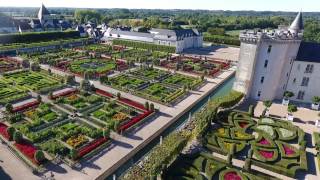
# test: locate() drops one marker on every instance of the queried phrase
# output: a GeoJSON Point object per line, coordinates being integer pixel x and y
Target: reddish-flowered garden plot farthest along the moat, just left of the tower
{"type": "Point", "coordinates": [199, 66]}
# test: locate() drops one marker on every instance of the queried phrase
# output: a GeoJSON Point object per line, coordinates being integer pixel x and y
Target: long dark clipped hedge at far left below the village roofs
{"type": "Point", "coordinates": [37, 36]}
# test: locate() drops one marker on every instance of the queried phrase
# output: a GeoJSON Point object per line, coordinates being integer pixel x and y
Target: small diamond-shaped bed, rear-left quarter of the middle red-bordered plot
{"type": "Point", "coordinates": [79, 102]}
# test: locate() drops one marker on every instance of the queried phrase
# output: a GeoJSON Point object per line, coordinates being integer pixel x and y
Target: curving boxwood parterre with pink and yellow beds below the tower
{"type": "Point", "coordinates": [275, 145]}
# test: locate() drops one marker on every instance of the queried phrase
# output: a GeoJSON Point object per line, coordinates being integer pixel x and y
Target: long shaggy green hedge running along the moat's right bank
{"type": "Point", "coordinates": [164, 154]}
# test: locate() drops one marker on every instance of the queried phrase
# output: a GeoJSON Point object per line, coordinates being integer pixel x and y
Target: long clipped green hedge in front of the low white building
{"type": "Point", "coordinates": [143, 45]}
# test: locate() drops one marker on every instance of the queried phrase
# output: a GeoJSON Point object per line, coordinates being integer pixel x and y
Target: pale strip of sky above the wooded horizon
{"type": "Point", "coordinates": [258, 5]}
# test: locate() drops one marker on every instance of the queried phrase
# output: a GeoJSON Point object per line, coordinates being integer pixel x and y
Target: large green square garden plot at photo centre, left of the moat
{"type": "Point", "coordinates": [157, 85]}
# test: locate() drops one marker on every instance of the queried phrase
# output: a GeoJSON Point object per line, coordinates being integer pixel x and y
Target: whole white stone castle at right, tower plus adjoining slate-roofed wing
{"type": "Point", "coordinates": [269, 62]}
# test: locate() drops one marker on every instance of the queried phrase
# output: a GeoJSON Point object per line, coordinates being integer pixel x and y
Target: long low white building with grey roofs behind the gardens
{"type": "Point", "coordinates": [181, 39]}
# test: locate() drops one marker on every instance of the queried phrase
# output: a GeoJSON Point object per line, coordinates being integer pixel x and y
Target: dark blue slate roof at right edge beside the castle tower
{"type": "Point", "coordinates": [309, 52]}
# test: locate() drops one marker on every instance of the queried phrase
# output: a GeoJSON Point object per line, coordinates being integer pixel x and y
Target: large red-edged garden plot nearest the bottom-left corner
{"type": "Point", "coordinates": [51, 131]}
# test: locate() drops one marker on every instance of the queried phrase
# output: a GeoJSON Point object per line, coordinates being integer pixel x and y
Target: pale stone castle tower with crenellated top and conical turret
{"type": "Point", "coordinates": [265, 60]}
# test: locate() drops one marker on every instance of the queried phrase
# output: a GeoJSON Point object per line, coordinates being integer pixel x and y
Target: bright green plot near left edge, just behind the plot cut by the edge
{"type": "Point", "coordinates": [32, 80]}
